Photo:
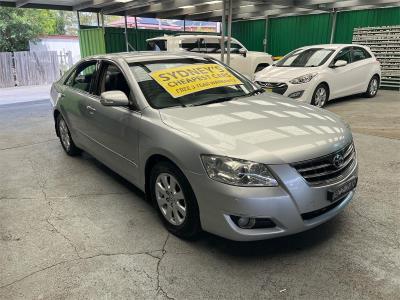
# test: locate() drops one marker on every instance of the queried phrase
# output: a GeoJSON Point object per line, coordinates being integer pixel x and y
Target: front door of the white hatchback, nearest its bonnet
{"type": "Point", "coordinates": [342, 81]}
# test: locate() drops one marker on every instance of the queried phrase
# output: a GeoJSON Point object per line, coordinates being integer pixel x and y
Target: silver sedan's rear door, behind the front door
{"type": "Point", "coordinates": [78, 89]}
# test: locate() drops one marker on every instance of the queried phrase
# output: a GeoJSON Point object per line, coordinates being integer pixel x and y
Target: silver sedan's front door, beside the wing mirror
{"type": "Point", "coordinates": [114, 129]}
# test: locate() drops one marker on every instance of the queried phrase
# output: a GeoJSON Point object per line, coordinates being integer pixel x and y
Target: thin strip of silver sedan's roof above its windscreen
{"type": "Point", "coordinates": [136, 56]}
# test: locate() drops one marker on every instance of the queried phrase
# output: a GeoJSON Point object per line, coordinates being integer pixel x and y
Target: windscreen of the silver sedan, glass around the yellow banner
{"type": "Point", "coordinates": [159, 97]}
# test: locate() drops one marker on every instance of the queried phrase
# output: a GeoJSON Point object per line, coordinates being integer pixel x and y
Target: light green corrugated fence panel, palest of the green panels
{"type": "Point", "coordinates": [91, 41]}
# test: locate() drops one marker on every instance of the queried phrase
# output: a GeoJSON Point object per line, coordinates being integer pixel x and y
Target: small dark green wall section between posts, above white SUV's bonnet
{"type": "Point", "coordinates": [250, 33]}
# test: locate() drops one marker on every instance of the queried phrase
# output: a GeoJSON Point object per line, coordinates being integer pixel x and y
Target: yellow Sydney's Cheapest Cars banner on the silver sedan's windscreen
{"type": "Point", "coordinates": [181, 81]}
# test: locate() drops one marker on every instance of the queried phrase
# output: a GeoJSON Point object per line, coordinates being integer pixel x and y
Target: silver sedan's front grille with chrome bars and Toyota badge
{"type": "Point", "coordinates": [322, 170]}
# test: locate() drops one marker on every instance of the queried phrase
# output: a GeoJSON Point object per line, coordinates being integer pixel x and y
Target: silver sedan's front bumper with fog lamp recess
{"type": "Point", "coordinates": [286, 205]}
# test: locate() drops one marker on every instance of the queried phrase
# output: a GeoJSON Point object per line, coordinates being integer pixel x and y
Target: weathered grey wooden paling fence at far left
{"type": "Point", "coordinates": [32, 68]}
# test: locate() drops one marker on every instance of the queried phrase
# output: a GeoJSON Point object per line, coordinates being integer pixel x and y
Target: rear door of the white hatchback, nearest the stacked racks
{"type": "Point", "coordinates": [362, 61]}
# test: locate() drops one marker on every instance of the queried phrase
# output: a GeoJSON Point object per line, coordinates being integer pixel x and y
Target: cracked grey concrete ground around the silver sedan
{"type": "Point", "coordinates": [71, 228]}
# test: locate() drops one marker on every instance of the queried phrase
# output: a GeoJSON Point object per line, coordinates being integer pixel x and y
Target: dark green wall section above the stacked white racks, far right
{"type": "Point", "coordinates": [346, 21]}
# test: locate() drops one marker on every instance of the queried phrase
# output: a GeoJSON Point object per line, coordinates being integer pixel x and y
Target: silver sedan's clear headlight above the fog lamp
{"type": "Point", "coordinates": [237, 172]}
